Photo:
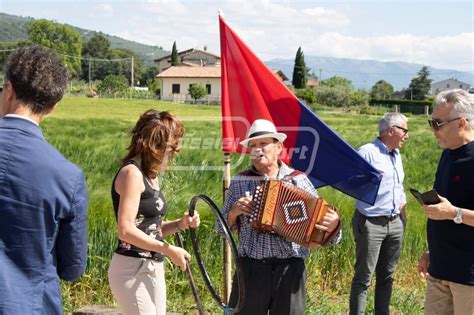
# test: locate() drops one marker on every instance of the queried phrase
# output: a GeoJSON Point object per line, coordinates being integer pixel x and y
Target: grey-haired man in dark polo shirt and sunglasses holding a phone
{"type": "Point", "coordinates": [449, 260]}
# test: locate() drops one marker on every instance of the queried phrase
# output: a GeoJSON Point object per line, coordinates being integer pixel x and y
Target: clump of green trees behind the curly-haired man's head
{"type": "Point", "coordinates": [92, 60]}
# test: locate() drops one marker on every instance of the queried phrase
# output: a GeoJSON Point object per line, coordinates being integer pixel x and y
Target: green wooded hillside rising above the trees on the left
{"type": "Point", "coordinates": [13, 28]}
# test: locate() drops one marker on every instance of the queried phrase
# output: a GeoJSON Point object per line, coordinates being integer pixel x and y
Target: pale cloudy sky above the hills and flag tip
{"type": "Point", "coordinates": [437, 33]}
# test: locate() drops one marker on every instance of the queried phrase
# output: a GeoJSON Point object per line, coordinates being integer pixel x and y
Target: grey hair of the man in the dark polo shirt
{"type": "Point", "coordinates": [462, 104]}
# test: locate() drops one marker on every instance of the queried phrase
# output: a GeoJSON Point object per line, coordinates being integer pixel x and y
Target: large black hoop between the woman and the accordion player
{"type": "Point", "coordinates": [228, 236]}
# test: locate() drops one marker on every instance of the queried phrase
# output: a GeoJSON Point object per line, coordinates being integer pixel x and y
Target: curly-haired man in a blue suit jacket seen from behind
{"type": "Point", "coordinates": [43, 196]}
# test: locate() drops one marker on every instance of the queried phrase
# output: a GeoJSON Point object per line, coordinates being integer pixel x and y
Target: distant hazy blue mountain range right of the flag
{"type": "Point", "coordinates": [365, 73]}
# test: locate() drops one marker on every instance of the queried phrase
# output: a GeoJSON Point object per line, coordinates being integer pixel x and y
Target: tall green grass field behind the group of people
{"type": "Point", "coordinates": [93, 133]}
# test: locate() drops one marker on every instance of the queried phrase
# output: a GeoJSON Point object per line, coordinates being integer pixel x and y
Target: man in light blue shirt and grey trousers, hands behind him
{"type": "Point", "coordinates": [378, 229]}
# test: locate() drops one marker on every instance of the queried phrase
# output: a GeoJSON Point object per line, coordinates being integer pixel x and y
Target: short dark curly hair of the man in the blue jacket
{"type": "Point", "coordinates": [38, 78]}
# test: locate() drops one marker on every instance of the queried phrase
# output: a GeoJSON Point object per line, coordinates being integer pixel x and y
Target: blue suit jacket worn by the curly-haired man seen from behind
{"type": "Point", "coordinates": [43, 220]}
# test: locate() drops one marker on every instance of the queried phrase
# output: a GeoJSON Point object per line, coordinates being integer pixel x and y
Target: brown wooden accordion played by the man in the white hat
{"type": "Point", "coordinates": [289, 212]}
